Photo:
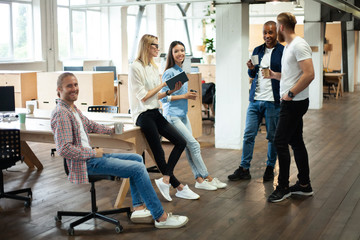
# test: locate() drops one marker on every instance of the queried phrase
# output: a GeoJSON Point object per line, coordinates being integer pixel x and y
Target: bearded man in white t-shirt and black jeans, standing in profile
{"type": "Point", "coordinates": [297, 72]}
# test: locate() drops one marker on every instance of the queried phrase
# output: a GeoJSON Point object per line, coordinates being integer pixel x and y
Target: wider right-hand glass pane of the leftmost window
{"type": "Point", "coordinates": [22, 31]}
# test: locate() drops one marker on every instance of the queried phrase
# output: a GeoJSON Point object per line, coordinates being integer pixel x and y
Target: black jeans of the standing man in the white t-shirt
{"type": "Point", "coordinates": [289, 132]}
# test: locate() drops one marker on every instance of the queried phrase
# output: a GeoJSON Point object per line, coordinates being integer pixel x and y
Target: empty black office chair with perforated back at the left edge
{"type": "Point", "coordinates": [10, 153]}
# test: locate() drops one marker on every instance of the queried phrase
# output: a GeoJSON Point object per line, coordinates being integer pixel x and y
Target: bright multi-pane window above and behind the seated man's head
{"type": "Point", "coordinates": [79, 32]}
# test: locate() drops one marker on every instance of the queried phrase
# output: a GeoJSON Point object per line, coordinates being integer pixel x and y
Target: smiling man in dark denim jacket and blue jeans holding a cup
{"type": "Point", "coordinates": [264, 102]}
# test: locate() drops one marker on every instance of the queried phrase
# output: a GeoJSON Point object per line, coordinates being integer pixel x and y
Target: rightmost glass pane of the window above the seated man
{"type": "Point", "coordinates": [94, 38]}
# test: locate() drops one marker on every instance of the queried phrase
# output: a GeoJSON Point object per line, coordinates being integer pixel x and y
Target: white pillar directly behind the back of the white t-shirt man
{"type": "Point", "coordinates": [314, 35]}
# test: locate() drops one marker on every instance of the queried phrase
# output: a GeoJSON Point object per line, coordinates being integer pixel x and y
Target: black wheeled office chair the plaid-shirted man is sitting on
{"type": "Point", "coordinates": [94, 213]}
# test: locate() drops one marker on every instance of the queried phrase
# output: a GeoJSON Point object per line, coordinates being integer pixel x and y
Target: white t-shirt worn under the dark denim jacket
{"type": "Point", "coordinates": [264, 90]}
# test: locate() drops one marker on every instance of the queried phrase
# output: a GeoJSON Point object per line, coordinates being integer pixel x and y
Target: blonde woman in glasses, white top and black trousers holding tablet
{"type": "Point", "coordinates": [144, 87]}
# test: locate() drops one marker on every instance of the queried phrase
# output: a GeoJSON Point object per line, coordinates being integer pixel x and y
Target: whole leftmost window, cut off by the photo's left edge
{"type": "Point", "coordinates": [16, 42]}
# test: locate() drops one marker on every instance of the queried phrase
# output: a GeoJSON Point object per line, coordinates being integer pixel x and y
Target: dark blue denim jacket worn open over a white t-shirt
{"type": "Point", "coordinates": [275, 65]}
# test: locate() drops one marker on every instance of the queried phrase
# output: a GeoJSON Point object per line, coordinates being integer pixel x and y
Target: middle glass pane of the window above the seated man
{"type": "Point", "coordinates": [78, 34]}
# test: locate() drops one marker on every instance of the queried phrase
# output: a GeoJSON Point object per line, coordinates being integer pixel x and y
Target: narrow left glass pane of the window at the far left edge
{"type": "Point", "coordinates": [5, 39]}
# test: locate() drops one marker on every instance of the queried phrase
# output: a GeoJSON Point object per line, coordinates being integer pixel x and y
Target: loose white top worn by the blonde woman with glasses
{"type": "Point", "coordinates": [141, 80]}
